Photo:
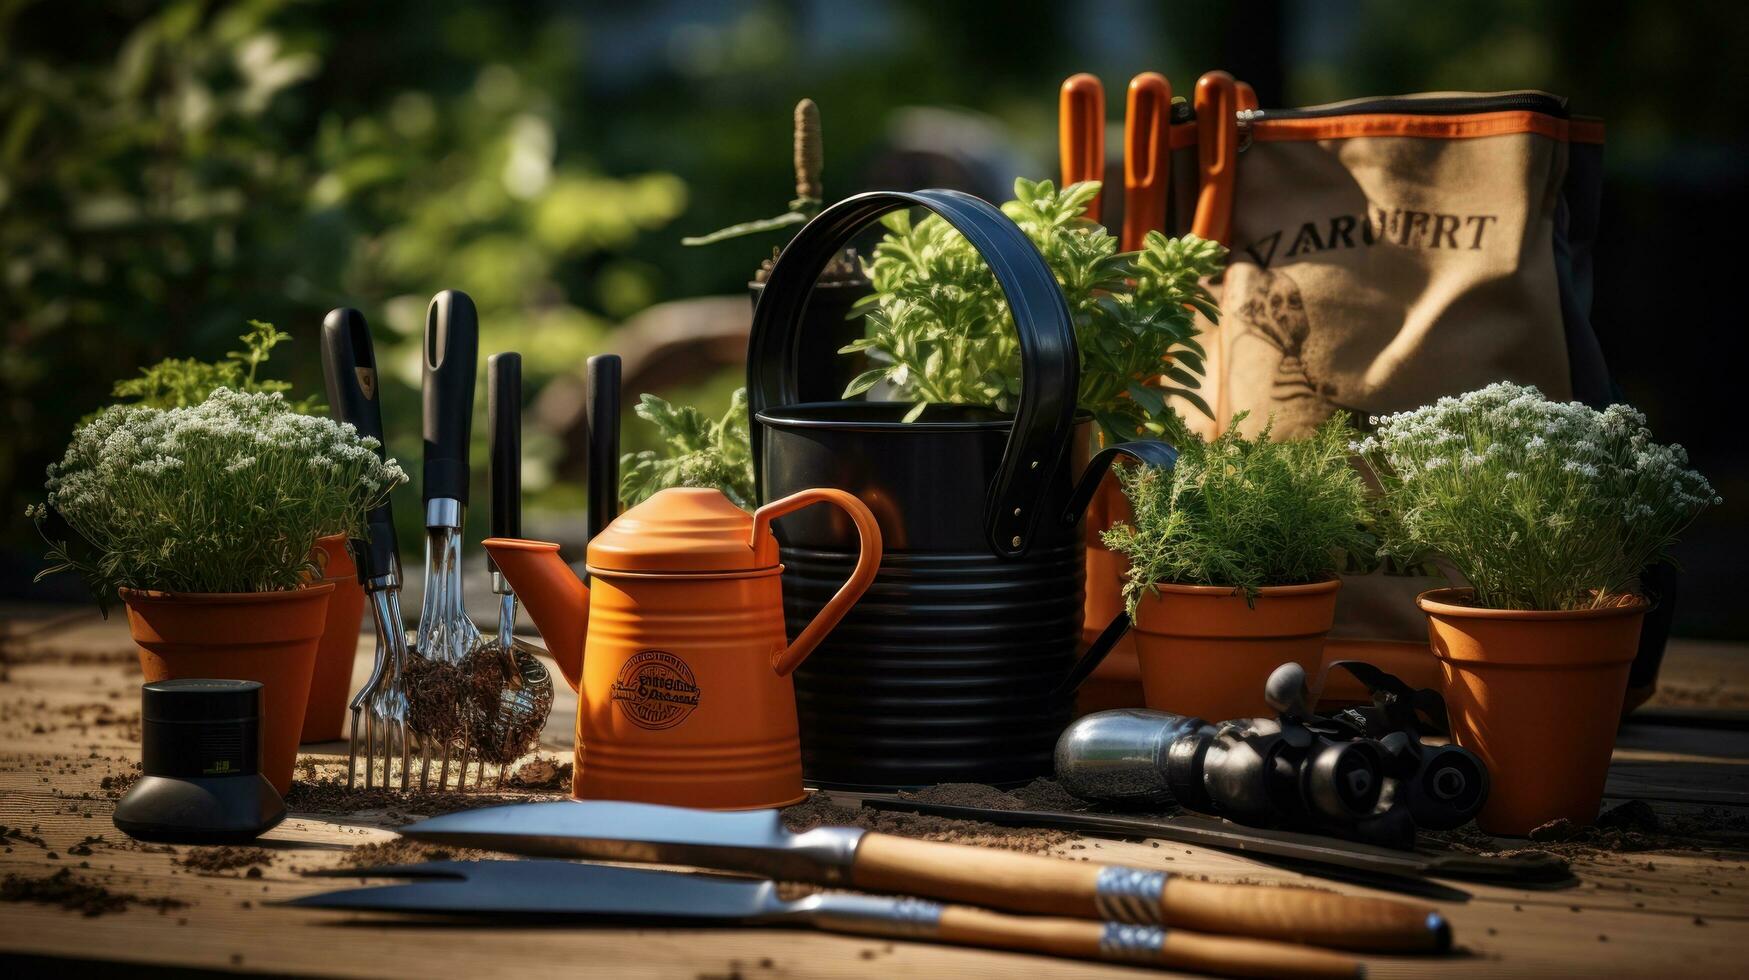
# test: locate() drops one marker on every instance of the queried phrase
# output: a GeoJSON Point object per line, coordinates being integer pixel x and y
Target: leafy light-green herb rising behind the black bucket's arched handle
{"type": "Point", "coordinates": [940, 328]}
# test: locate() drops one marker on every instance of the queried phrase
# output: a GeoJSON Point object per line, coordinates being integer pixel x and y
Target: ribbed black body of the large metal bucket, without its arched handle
{"type": "Point", "coordinates": [949, 668]}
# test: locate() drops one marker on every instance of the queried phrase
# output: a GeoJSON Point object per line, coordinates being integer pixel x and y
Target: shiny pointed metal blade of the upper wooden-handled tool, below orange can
{"type": "Point", "coordinates": [749, 841]}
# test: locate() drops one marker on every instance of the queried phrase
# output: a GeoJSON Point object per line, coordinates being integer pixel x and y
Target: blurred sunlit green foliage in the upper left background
{"type": "Point", "coordinates": [202, 172]}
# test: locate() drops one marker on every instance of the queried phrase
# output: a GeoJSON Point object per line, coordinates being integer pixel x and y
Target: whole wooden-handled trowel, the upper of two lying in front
{"type": "Point", "coordinates": [840, 857]}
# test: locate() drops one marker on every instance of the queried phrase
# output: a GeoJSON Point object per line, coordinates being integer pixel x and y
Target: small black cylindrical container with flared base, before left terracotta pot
{"type": "Point", "coordinates": [200, 753]}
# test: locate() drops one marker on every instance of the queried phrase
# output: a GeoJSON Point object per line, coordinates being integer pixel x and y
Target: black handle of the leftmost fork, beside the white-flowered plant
{"type": "Point", "coordinates": [349, 367]}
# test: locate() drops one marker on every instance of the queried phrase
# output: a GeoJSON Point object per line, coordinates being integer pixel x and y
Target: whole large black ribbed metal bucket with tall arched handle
{"type": "Point", "coordinates": [959, 662]}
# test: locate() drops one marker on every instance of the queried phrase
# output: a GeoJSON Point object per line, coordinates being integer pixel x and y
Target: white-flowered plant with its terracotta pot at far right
{"type": "Point", "coordinates": [1550, 512]}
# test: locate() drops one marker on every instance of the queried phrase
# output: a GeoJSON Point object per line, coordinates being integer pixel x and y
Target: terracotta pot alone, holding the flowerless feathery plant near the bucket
{"type": "Point", "coordinates": [1208, 654]}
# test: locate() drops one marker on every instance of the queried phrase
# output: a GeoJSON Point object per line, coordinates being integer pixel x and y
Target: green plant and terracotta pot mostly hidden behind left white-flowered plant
{"type": "Point", "coordinates": [181, 382]}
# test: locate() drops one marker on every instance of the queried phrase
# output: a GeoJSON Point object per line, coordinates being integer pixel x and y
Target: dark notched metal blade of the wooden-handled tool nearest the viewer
{"type": "Point", "coordinates": [554, 888]}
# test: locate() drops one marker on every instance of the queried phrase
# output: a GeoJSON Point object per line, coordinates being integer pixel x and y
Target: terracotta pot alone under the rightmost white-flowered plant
{"type": "Point", "coordinates": [1538, 696]}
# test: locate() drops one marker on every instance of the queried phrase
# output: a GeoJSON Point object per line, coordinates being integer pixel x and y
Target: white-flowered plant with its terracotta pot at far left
{"type": "Point", "coordinates": [206, 521]}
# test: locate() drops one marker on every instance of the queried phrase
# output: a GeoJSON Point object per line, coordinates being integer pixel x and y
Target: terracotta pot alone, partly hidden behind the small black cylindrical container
{"type": "Point", "coordinates": [244, 636]}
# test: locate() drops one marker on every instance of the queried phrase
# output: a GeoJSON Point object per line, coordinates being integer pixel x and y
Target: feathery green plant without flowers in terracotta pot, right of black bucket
{"type": "Point", "coordinates": [1234, 559]}
